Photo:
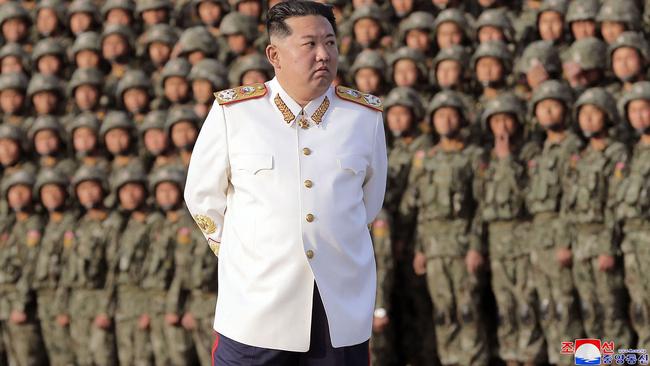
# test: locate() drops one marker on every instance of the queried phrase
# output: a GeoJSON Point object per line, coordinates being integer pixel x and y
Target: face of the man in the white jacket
{"type": "Point", "coordinates": [307, 58]}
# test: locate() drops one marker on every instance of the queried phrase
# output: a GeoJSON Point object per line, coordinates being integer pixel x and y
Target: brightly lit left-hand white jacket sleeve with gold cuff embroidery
{"type": "Point", "coordinates": [208, 176]}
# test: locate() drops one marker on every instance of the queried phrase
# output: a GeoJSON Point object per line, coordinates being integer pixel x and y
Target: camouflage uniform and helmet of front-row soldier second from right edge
{"type": "Point", "coordinates": [592, 179]}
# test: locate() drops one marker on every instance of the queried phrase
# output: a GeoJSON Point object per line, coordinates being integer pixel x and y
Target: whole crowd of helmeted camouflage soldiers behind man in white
{"type": "Point", "coordinates": [517, 207]}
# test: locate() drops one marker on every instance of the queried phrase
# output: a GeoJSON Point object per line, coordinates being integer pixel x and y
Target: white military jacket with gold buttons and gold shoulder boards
{"type": "Point", "coordinates": [285, 198]}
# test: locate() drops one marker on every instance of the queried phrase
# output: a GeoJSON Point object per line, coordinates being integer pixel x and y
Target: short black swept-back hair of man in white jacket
{"type": "Point", "coordinates": [279, 13]}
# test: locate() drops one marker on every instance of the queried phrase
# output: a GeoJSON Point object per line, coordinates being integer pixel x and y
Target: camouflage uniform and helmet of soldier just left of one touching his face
{"type": "Point", "coordinates": [441, 195]}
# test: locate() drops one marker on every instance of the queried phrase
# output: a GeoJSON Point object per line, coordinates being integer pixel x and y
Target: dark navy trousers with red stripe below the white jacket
{"type": "Point", "coordinates": [228, 352]}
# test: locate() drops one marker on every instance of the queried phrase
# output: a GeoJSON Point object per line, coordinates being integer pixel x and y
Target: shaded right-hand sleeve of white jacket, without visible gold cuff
{"type": "Point", "coordinates": [374, 186]}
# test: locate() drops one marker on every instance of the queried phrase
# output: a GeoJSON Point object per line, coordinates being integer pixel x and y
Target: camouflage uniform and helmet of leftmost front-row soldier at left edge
{"type": "Point", "coordinates": [19, 241]}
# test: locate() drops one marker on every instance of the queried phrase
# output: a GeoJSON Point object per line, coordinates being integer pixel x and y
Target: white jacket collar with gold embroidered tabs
{"type": "Point", "coordinates": [291, 112]}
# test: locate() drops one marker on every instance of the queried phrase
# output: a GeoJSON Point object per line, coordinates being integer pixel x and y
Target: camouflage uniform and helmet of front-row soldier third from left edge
{"type": "Point", "coordinates": [83, 285]}
